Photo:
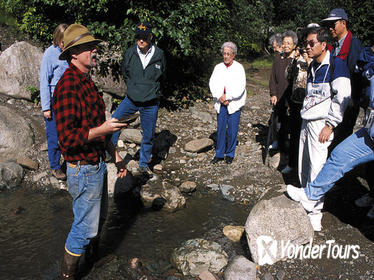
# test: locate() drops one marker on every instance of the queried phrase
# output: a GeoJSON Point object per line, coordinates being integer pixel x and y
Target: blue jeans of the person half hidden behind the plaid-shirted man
{"type": "Point", "coordinates": [54, 152]}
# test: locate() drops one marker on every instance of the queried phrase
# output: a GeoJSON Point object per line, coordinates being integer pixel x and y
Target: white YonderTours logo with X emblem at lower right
{"type": "Point", "coordinates": [271, 250]}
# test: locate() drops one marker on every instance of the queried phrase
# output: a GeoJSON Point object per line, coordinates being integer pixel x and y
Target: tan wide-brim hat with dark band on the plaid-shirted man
{"type": "Point", "coordinates": [74, 35]}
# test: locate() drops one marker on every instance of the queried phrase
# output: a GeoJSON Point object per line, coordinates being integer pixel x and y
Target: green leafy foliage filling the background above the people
{"type": "Point", "coordinates": [190, 32]}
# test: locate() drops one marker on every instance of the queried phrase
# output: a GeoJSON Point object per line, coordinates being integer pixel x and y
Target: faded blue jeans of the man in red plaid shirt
{"type": "Point", "coordinates": [87, 185]}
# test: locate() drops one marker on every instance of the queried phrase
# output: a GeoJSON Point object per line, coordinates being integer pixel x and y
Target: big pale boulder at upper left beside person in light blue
{"type": "Point", "coordinates": [19, 69]}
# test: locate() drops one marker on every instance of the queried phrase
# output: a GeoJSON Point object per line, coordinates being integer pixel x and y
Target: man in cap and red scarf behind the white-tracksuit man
{"type": "Point", "coordinates": [348, 48]}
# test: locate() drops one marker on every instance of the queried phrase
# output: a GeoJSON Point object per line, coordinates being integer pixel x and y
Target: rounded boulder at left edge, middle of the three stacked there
{"type": "Point", "coordinates": [16, 135]}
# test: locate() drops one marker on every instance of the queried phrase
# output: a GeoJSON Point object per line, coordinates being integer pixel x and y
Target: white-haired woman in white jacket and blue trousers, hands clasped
{"type": "Point", "coordinates": [227, 85]}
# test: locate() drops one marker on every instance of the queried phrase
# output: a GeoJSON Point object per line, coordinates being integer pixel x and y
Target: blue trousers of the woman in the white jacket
{"type": "Point", "coordinates": [227, 124]}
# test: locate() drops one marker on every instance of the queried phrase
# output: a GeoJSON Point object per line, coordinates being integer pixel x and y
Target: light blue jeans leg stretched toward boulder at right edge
{"type": "Point", "coordinates": [354, 150]}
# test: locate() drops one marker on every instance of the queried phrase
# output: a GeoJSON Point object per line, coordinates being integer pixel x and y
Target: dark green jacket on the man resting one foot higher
{"type": "Point", "coordinates": [143, 84]}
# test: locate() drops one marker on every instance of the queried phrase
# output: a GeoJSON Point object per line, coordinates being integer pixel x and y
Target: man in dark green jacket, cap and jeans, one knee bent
{"type": "Point", "coordinates": [142, 68]}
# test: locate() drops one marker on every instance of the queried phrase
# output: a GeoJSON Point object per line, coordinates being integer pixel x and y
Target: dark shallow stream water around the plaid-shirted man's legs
{"type": "Point", "coordinates": [33, 228]}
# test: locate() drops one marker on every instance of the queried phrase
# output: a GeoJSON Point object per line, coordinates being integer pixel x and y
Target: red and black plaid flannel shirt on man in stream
{"type": "Point", "coordinates": [78, 107]}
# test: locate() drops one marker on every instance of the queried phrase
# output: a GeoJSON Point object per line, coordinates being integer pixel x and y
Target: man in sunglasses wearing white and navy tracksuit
{"type": "Point", "coordinates": [328, 94]}
